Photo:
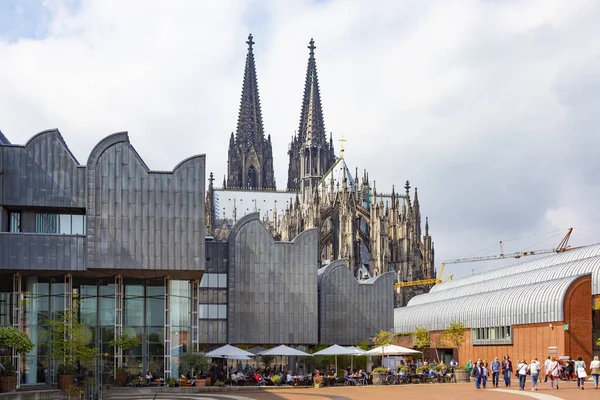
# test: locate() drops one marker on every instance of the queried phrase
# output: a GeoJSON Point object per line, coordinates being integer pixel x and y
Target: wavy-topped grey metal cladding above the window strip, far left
{"type": "Point", "coordinates": [42, 173]}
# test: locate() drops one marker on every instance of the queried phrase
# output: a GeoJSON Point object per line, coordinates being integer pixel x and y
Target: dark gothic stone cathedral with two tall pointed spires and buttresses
{"type": "Point", "coordinates": [374, 232]}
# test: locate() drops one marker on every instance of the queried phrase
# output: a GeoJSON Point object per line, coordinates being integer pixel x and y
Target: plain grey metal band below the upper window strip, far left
{"type": "Point", "coordinates": [33, 251]}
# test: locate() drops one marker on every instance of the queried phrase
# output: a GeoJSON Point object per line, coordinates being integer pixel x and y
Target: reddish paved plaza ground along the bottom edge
{"type": "Point", "coordinates": [434, 391]}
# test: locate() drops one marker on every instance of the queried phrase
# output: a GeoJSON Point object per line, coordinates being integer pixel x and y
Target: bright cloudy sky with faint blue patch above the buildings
{"type": "Point", "coordinates": [490, 108]}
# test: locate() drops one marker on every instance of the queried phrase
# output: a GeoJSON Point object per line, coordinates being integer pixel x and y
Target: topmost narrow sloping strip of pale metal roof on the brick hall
{"type": "Point", "coordinates": [561, 258]}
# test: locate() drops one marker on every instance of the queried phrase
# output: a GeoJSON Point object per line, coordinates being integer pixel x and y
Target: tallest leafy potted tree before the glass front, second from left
{"type": "Point", "coordinates": [70, 339]}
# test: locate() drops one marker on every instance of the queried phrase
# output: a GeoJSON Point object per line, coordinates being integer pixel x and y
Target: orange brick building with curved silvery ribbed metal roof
{"type": "Point", "coordinates": [533, 309]}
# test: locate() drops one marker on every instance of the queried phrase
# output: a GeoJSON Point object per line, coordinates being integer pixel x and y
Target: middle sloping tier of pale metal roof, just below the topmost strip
{"type": "Point", "coordinates": [586, 265]}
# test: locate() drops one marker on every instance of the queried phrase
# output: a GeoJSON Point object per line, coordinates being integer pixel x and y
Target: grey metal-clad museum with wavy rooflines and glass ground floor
{"type": "Point", "coordinates": [126, 246]}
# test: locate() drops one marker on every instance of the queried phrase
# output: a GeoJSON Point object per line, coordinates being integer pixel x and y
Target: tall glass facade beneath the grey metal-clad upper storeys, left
{"type": "Point", "coordinates": [44, 299]}
